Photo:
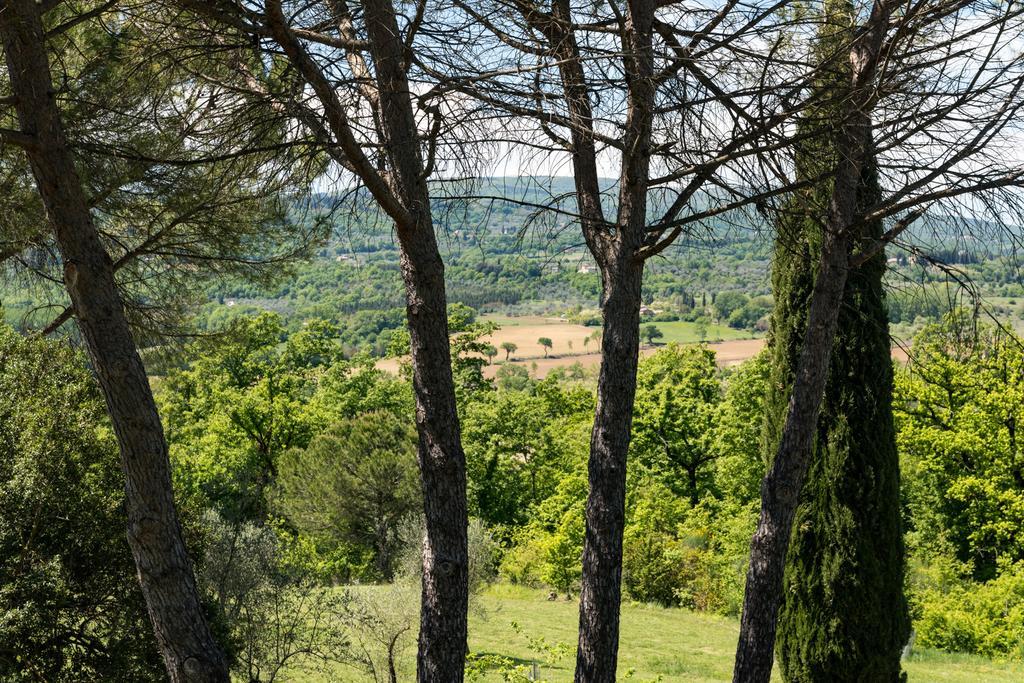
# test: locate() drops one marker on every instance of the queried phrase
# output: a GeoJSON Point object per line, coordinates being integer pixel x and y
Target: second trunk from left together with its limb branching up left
{"type": "Point", "coordinates": [403, 194]}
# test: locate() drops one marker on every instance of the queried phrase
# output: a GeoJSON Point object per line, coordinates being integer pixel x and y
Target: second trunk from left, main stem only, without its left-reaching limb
{"type": "Point", "coordinates": [443, 464]}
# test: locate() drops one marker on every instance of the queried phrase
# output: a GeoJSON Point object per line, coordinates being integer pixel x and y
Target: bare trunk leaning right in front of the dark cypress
{"type": "Point", "coordinates": [781, 489]}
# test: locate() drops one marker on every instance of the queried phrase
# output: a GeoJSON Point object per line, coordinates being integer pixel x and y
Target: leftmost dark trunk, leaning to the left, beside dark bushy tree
{"type": "Point", "coordinates": [164, 570]}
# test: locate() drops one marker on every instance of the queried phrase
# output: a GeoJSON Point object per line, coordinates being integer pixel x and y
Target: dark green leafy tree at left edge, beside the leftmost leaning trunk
{"type": "Point", "coordinates": [70, 606]}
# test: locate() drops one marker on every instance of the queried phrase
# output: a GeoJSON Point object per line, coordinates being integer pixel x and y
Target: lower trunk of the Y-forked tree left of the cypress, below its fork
{"type": "Point", "coordinates": [603, 556]}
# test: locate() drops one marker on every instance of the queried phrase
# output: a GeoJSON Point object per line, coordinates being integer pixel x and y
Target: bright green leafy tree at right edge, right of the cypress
{"type": "Point", "coordinates": [959, 410]}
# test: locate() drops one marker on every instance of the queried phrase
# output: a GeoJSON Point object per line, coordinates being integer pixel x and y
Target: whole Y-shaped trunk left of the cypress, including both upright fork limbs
{"type": "Point", "coordinates": [622, 274]}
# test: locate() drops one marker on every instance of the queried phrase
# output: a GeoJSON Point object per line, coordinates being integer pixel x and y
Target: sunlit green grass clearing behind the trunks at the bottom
{"type": "Point", "coordinates": [677, 646]}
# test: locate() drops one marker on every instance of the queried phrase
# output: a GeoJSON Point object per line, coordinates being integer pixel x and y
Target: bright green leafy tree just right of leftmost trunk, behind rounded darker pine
{"type": "Point", "coordinates": [238, 408]}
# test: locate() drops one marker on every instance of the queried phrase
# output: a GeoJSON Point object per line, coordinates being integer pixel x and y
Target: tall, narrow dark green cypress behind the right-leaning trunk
{"type": "Point", "coordinates": [844, 617]}
